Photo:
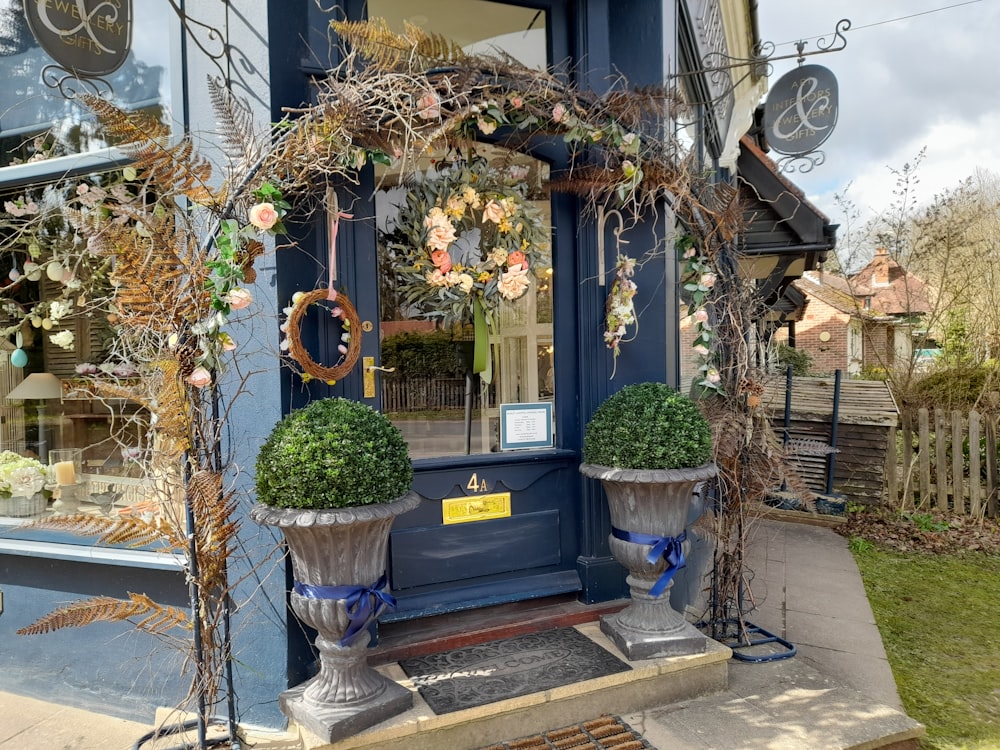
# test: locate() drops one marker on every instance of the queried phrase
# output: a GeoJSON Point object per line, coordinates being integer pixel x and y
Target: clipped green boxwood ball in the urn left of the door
{"type": "Point", "coordinates": [334, 453]}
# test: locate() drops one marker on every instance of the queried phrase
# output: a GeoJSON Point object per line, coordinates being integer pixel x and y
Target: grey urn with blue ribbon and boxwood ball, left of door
{"type": "Point", "coordinates": [332, 478]}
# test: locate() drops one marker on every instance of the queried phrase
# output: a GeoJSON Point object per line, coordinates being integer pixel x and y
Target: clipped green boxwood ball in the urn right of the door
{"type": "Point", "coordinates": [648, 426]}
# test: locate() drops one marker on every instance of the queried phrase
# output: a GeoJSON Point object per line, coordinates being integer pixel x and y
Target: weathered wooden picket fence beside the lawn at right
{"type": "Point", "coordinates": [946, 461]}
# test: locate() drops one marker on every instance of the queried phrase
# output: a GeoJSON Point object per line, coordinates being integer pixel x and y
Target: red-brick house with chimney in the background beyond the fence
{"type": "Point", "coordinates": [866, 321]}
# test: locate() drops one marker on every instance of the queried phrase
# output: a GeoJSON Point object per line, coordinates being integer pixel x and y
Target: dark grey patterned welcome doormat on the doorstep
{"type": "Point", "coordinates": [490, 672]}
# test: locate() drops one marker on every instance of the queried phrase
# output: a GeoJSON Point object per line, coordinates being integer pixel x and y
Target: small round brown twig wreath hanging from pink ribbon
{"type": "Point", "coordinates": [350, 339]}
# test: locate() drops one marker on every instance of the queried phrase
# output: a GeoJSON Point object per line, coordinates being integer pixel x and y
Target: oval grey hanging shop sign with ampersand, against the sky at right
{"type": "Point", "coordinates": [801, 110]}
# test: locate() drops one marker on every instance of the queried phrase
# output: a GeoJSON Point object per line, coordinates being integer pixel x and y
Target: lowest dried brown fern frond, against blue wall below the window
{"type": "Point", "coordinates": [156, 617]}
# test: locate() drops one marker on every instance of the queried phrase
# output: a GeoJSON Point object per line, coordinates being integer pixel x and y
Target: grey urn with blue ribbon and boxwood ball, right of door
{"type": "Point", "coordinates": [650, 447]}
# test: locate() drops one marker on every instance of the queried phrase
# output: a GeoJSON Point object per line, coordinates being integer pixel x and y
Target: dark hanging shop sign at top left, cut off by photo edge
{"type": "Point", "coordinates": [87, 37]}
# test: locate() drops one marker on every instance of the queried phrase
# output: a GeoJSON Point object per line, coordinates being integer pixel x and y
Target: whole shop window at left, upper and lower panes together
{"type": "Point", "coordinates": [63, 387]}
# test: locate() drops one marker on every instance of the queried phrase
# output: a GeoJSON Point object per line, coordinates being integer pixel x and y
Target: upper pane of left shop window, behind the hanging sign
{"type": "Point", "coordinates": [43, 131]}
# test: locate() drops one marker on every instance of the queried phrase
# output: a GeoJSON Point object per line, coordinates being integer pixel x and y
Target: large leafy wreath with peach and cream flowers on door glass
{"type": "Point", "coordinates": [466, 233]}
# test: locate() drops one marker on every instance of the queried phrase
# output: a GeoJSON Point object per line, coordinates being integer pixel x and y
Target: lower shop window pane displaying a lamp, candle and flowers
{"type": "Point", "coordinates": [63, 383]}
